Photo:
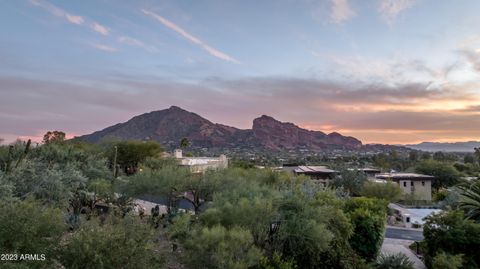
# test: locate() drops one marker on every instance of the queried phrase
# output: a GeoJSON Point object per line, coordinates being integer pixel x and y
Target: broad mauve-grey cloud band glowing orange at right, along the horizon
{"type": "Point", "coordinates": [376, 112]}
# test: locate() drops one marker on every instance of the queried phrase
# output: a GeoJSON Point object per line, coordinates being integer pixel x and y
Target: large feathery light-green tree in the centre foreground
{"type": "Point", "coordinates": [285, 218]}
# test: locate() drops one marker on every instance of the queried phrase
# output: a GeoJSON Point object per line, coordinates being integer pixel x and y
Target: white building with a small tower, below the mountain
{"type": "Point", "coordinates": [201, 164]}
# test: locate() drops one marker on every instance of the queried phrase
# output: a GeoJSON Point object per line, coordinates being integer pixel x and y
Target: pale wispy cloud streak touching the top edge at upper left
{"type": "Point", "coordinates": [74, 19]}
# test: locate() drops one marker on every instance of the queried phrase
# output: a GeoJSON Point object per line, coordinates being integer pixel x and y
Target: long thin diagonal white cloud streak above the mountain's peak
{"type": "Point", "coordinates": [172, 26]}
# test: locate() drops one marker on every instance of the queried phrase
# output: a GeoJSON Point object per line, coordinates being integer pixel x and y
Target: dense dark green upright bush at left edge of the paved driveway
{"type": "Point", "coordinates": [368, 217]}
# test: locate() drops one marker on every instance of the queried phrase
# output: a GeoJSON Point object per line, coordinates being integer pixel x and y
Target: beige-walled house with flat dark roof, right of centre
{"type": "Point", "coordinates": [418, 185]}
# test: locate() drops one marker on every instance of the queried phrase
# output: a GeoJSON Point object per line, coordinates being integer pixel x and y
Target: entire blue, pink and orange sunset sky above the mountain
{"type": "Point", "coordinates": [384, 71]}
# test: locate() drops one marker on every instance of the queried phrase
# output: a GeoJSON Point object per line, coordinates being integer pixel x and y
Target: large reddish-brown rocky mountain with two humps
{"type": "Point", "coordinates": [170, 125]}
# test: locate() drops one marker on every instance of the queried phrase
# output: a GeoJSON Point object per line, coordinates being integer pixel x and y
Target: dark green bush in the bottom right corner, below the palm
{"type": "Point", "coordinates": [451, 233]}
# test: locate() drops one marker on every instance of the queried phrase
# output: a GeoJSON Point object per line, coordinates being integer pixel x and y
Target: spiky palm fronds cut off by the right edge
{"type": "Point", "coordinates": [470, 200]}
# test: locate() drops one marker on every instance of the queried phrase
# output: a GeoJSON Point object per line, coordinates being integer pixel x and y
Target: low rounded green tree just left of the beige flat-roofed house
{"type": "Point", "coordinates": [388, 191]}
